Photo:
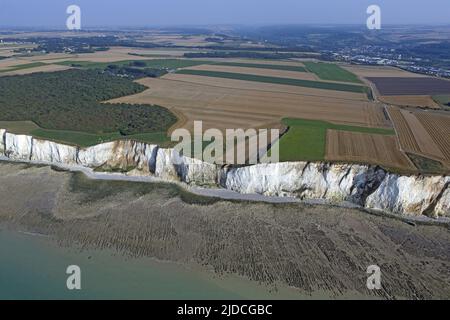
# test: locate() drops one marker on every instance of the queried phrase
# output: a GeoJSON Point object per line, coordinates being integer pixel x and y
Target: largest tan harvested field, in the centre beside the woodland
{"type": "Point", "coordinates": [253, 106]}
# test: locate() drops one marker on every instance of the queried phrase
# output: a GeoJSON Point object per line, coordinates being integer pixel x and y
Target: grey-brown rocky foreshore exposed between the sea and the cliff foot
{"type": "Point", "coordinates": [318, 249]}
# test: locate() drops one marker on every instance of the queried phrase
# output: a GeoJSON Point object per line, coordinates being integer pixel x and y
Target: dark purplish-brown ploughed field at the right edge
{"type": "Point", "coordinates": [395, 86]}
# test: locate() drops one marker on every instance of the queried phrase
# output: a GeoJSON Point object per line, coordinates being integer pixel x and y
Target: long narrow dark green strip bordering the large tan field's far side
{"type": "Point", "coordinates": [276, 80]}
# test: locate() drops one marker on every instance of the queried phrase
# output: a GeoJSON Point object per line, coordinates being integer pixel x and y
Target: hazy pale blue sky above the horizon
{"type": "Point", "coordinates": [52, 13]}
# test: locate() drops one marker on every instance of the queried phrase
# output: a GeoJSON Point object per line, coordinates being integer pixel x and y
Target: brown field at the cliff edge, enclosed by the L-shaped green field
{"type": "Point", "coordinates": [366, 148]}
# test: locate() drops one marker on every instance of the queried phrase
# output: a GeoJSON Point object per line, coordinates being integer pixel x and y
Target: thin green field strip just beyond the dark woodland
{"type": "Point", "coordinates": [155, 63]}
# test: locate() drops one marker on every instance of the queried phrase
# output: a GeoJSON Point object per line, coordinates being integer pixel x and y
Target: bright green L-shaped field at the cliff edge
{"type": "Point", "coordinates": [306, 139]}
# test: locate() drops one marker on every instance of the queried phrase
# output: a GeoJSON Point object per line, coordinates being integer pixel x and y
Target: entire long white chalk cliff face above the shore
{"type": "Point", "coordinates": [368, 186]}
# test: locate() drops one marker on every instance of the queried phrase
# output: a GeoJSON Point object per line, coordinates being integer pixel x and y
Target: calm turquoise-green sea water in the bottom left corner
{"type": "Point", "coordinates": [34, 267]}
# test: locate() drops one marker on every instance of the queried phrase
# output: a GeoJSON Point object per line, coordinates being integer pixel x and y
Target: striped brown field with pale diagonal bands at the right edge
{"type": "Point", "coordinates": [422, 133]}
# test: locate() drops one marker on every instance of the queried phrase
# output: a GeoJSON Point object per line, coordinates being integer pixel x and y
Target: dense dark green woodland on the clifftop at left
{"type": "Point", "coordinates": [71, 100]}
